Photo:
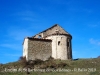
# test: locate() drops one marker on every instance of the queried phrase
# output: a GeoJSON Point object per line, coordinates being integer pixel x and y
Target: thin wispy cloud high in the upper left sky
{"type": "Point", "coordinates": [26, 15]}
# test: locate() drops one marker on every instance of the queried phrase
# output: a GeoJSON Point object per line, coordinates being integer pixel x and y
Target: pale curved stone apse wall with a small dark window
{"type": "Point", "coordinates": [61, 47]}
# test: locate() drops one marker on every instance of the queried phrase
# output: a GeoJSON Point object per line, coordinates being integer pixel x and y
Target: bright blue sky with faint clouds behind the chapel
{"type": "Point", "coordinates": [23, 18]}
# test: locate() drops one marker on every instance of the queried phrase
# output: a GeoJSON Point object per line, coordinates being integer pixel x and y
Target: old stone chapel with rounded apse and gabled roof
{"type": "Point", "coordinates": [54, 42]}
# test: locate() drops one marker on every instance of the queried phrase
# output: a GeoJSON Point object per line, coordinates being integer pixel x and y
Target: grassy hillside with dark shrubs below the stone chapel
{"type": "Point", "coordinates": [53, 67]}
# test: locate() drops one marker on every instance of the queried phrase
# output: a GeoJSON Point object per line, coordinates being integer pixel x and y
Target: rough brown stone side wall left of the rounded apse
{"type": "Point", "coordinates": [39, 49]}
